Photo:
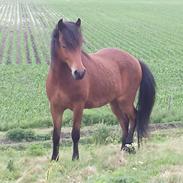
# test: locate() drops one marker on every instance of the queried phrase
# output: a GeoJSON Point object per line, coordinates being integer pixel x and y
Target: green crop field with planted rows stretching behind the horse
{"type": "Point", "coordinates": [150, 30]}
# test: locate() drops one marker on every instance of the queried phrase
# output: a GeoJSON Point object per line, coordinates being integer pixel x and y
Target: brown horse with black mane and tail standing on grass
{"type": "Point", "coordinates": [77, 80]}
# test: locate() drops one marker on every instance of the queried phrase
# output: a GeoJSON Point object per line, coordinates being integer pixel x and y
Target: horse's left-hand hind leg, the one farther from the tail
{"type": "Point", "coordinates": [123, 120]}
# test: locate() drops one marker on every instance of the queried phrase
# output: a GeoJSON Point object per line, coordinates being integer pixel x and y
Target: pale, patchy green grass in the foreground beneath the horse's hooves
{"type": "Point", "coordinates": [158, 161]}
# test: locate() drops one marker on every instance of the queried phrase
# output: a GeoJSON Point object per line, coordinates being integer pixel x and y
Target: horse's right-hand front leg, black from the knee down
{"type": "Point", "coordinates": [78, 112]}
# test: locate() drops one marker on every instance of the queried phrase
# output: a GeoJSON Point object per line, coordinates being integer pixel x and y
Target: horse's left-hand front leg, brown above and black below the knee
{"type": "Point", "coordinates": [57, 114]}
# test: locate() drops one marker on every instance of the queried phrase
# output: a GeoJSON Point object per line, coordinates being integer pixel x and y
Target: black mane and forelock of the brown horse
{"type": "Point", "coordinates": [71, 34]}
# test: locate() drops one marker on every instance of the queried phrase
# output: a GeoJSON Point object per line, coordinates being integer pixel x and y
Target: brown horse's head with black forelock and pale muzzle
{"type": "Point", "coordinates": [70, 46]}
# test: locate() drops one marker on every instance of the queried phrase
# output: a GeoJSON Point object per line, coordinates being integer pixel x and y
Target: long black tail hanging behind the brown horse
{"type": "Point", "coordinates": [146, 100]}
